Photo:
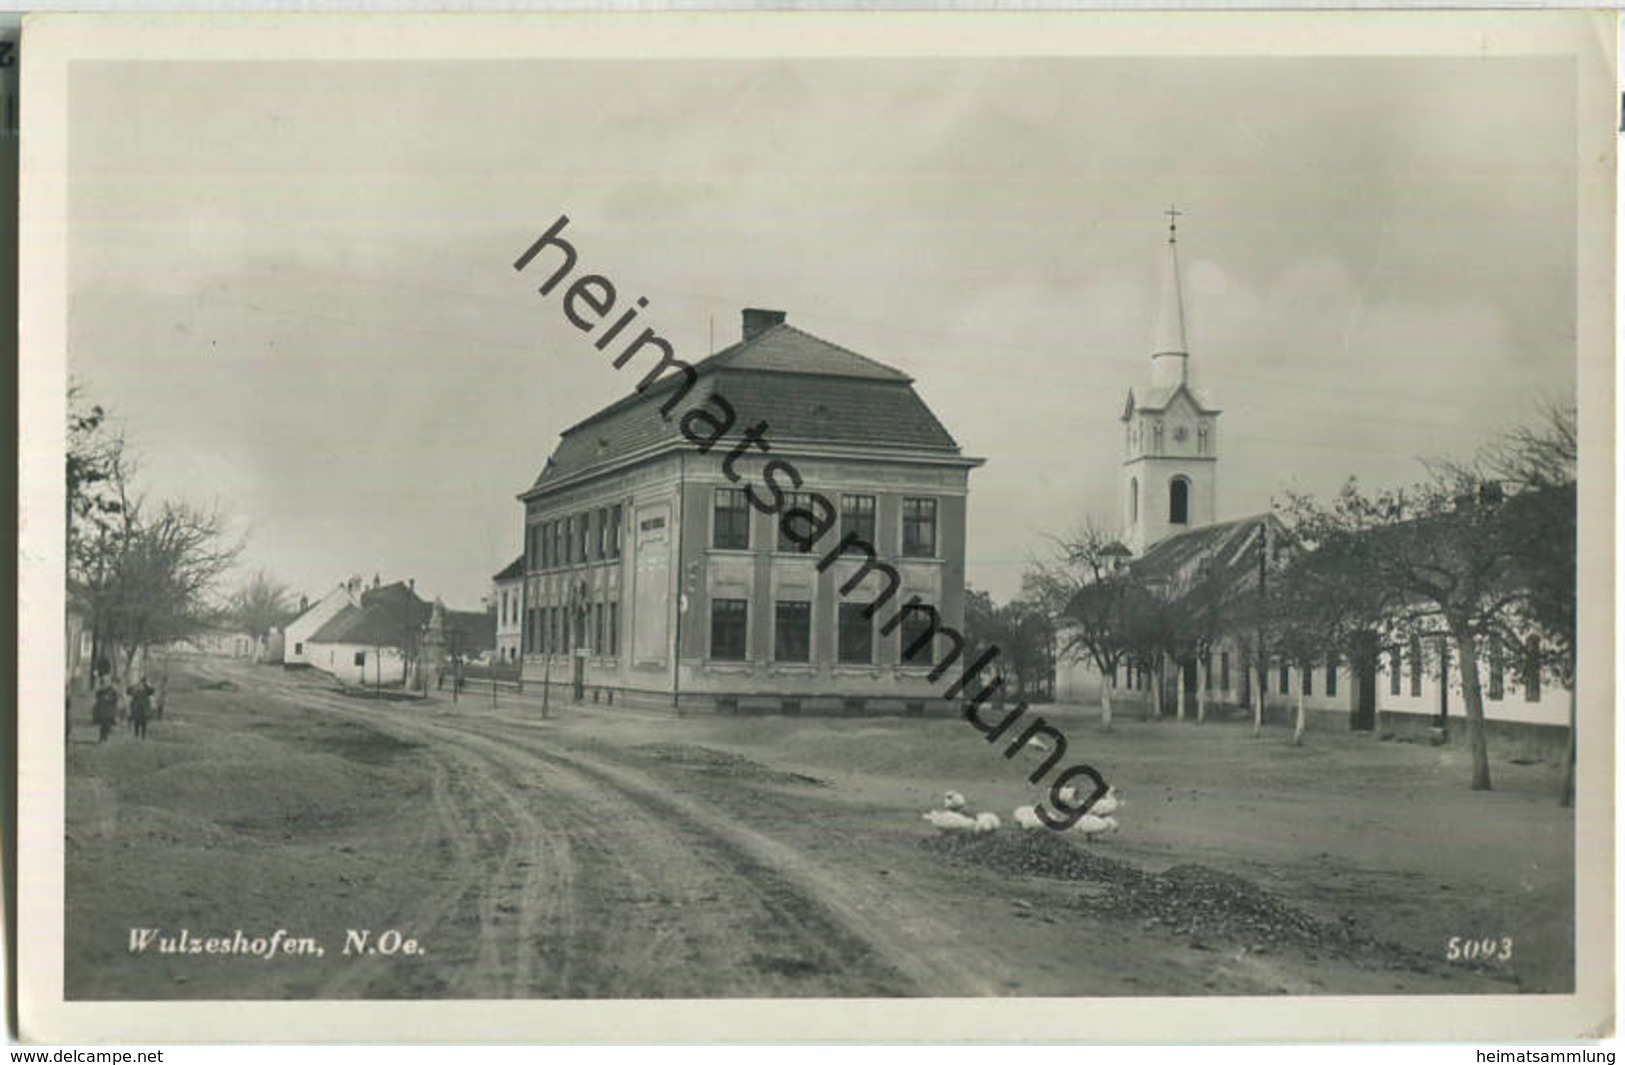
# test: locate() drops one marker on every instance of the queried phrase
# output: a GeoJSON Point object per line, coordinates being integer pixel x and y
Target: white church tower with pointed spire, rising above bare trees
{"type": "Point", "coordinates": [1171, 437]}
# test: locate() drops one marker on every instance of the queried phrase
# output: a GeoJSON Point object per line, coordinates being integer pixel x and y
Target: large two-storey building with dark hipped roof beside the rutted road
{"type": "Point", "coordinates": [661, 572]}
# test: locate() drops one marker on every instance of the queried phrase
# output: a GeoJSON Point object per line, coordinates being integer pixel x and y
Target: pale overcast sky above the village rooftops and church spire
{"type": "Point", "coordinates": [293, 282]}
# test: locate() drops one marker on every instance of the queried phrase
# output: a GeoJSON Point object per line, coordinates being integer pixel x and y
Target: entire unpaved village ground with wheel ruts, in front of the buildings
{"type": "Point", "coordinates": [610, 853]}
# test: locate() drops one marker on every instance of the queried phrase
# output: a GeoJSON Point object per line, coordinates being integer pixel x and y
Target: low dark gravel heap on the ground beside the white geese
{"type": "Point", "coordinates": [1195, 902]}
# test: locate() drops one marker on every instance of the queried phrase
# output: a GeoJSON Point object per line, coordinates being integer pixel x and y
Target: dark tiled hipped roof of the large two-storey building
{"type": "Point", "coordinates": [805, 388]}
